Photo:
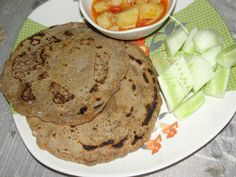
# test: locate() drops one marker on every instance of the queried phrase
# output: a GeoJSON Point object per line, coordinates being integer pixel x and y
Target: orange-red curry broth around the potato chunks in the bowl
{"type": "Point", "coordinates": [117, 9]}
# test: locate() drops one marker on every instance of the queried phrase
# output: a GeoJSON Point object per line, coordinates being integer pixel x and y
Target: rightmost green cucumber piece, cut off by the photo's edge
{"type": "Point", "coordinates": [227, 57]}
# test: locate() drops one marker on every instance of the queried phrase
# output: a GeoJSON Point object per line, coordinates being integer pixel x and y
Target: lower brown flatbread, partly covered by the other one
{"type": "Point", "coordinates": [122, 127]}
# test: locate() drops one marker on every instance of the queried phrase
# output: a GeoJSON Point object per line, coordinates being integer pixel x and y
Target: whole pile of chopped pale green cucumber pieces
{"type": "Point", "coordinates": [198, 66]}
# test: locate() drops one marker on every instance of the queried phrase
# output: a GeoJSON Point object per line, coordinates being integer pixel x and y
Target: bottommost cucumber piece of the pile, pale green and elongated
{"type": "Point", "coordinates": [189, 105]}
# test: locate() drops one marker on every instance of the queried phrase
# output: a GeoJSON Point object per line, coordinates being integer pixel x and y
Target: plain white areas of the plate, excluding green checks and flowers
{"type": "Point", "coordinates": [192, 134]}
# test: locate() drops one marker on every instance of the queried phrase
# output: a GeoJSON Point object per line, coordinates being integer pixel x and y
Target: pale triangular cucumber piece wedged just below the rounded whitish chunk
{"type": "Point", "coordinates": [211, 55]}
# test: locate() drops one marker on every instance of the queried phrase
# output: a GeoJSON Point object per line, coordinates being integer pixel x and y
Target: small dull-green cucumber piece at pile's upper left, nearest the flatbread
{"type": "Point", "coordinates": [161, 64]}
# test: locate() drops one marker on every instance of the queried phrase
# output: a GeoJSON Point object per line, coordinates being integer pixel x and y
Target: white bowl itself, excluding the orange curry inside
{"type": "Point", "coordinates": [85, 7]}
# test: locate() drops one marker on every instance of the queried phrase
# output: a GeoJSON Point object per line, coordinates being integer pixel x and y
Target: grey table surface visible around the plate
{"type": "Point", "coordinates": [216, 159]}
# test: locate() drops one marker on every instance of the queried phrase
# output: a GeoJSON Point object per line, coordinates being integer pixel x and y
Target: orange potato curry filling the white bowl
{"type": "Point", "coordinates": [121, 15]}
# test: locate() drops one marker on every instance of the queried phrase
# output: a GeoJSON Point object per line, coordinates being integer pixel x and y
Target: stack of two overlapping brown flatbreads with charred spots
{"type": "Point", "coordinates": [87, 98]}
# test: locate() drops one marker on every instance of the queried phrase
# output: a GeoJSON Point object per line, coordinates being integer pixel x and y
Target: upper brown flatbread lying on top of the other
{"type": "Point", "coordinates": [64, 74]}
